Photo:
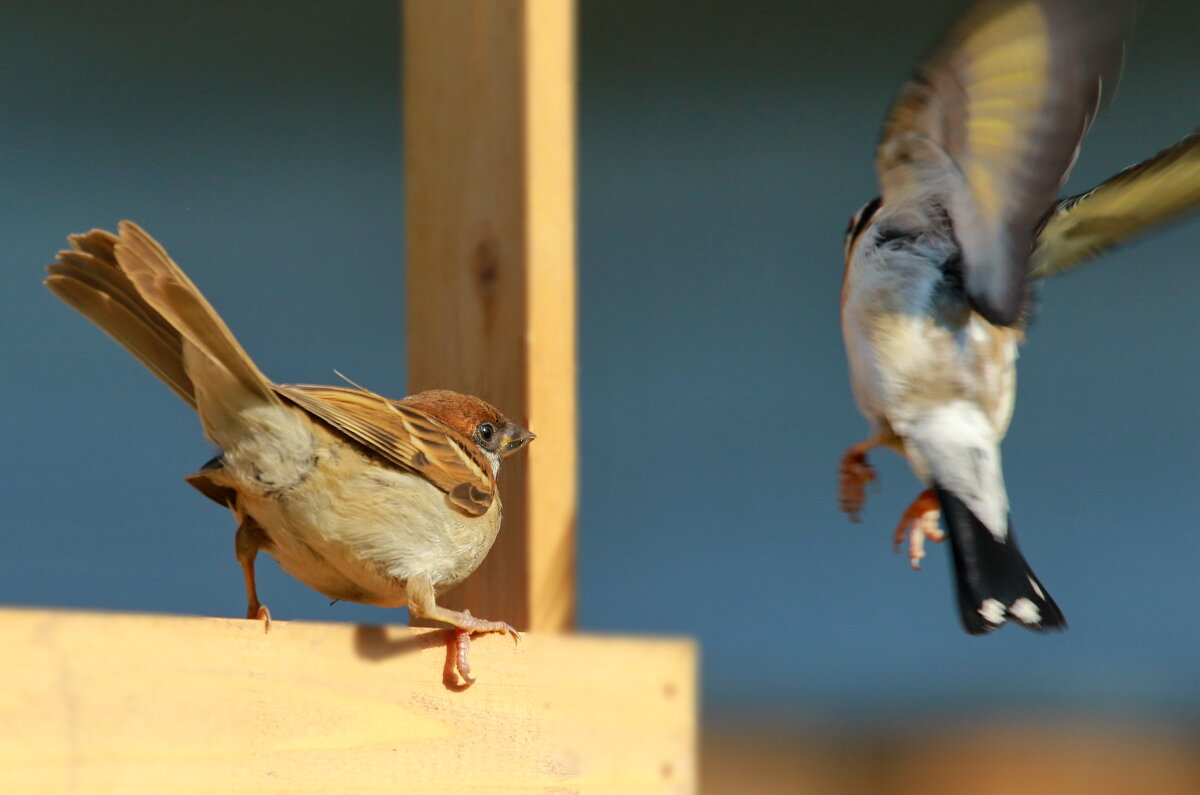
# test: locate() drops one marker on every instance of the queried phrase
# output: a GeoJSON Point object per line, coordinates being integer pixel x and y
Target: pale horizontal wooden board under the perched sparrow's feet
{"type": "Point", "coordinates": [103, 703]}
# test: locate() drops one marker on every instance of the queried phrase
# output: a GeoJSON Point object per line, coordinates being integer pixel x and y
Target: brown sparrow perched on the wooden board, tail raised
{"type": "Point", "coordinates": [386, 503]}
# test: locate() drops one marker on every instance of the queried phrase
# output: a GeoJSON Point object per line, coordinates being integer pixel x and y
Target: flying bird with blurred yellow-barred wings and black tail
{"type": "Point", "coordinates": [971, 160]}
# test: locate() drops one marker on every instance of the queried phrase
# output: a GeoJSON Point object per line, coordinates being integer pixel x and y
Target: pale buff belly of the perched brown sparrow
{"type": "Point", "coordinates": [357, 531]}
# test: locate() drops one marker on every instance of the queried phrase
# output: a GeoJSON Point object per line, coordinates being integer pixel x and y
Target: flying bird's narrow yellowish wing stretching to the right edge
{"type": "Point", "coordinates": [1153, 193]}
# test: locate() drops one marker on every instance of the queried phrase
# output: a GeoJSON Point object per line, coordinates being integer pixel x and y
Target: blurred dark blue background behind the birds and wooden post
{"type": "Point", "coordinates": [723, 148]}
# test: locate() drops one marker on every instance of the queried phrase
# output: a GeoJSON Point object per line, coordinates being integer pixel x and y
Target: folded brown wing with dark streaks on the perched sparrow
{"type": "Point", "coordinates": [405, 437]}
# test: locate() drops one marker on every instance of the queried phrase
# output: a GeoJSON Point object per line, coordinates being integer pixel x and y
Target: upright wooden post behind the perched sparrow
{"type": "Point", "coordinates": [490, 181]}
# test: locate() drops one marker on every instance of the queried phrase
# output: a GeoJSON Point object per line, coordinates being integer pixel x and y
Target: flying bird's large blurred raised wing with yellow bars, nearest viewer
{"type": "Point", "coordinates": [1007, 97]}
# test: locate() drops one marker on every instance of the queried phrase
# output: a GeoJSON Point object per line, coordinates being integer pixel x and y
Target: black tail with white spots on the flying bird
{"type": "Point", "coordinates": [994, 582]}
